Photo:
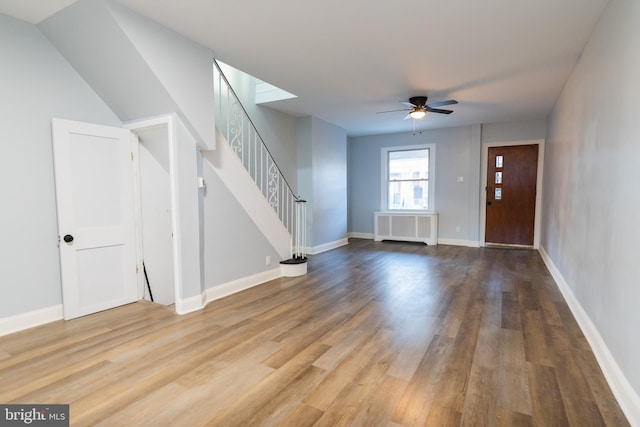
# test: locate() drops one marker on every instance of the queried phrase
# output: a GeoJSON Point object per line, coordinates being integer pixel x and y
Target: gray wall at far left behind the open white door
{"type": "Point", "coordinates": [36, 84]}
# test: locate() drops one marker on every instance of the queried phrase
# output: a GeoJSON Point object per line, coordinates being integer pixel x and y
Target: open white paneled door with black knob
{"type": "Point", "coordinates": [96, 222]}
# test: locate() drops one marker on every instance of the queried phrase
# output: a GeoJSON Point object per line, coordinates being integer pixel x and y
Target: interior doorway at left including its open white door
{"type": "Point", "coordinates": [116, 199]}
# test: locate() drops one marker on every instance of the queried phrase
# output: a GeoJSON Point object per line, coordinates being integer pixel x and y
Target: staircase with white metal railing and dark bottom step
{"type": "Point", "coordinates": [285, 225]}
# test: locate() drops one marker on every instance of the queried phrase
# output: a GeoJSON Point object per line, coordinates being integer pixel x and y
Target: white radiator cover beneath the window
{"type": "Point", "coordinates": [406, 226]}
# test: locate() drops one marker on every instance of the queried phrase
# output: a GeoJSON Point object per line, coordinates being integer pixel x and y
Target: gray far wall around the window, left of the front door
{"type": "Point", "coordinates": [457, 154]}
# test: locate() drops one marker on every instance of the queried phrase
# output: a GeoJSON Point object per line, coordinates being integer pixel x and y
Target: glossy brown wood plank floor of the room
{"type": "Point", "coordinates": [376, 334]}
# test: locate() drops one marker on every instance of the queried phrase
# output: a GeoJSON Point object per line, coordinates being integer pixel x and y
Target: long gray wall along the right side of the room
{"type": "Point", "coordinates": [591, 203]}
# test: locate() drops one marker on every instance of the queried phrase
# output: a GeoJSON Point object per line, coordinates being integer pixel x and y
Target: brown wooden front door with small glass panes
{"type": "Point", "coordinates": [512, 174]}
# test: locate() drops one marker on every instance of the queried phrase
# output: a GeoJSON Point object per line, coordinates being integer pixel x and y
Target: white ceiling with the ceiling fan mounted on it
{"type": "Point", "coordinates": [346, 60]}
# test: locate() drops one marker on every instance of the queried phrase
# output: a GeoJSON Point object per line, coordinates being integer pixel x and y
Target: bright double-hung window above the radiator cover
{"type": "Point", "coordinates": [408, 177]}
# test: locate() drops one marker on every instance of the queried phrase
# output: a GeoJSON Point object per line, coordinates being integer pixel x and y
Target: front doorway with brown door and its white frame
{"type": "Point", "coordinates": [512, 181]}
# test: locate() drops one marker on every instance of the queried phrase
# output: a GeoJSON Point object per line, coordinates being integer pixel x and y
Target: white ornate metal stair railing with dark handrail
{"type": "Point", "coordinates": [235, 124]}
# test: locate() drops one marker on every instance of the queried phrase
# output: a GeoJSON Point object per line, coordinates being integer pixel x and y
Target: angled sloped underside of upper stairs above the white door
{"type": "Point", "coordinates": [138, 67]}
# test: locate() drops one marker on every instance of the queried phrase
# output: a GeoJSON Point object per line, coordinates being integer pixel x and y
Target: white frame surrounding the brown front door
{"type": "Point", "coordinates": [483, 186]}
